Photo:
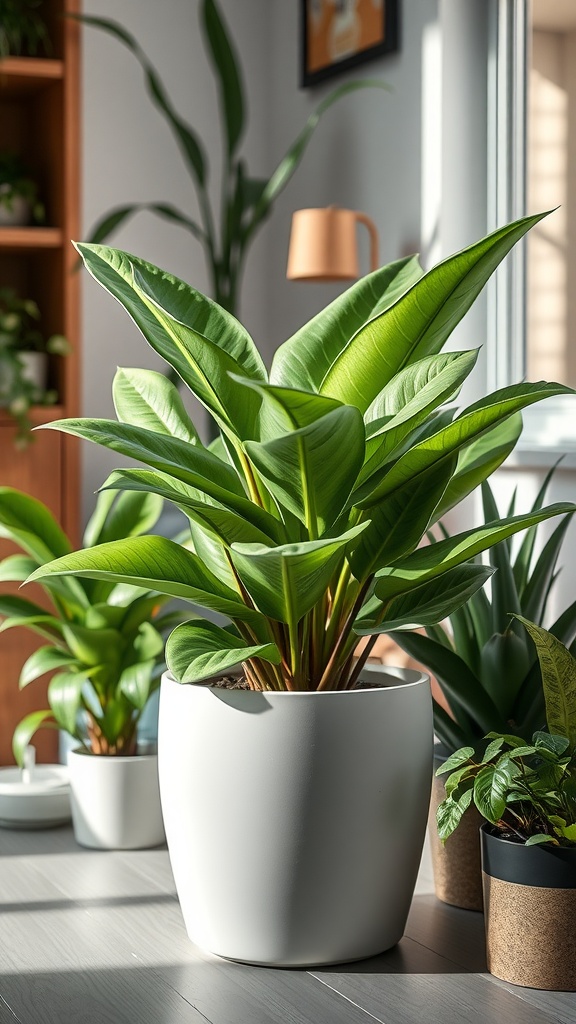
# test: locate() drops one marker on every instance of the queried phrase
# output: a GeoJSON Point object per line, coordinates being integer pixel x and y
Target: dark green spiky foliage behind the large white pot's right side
{"type": "Point", "coordinates": [484, 661]}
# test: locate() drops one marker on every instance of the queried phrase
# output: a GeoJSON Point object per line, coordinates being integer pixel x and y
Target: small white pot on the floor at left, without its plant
{"type": "Point", "coordinates": [115, 801]}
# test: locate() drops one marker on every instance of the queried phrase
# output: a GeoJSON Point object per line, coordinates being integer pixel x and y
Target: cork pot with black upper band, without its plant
{"type": "Point", "coordinates": [530, 913]}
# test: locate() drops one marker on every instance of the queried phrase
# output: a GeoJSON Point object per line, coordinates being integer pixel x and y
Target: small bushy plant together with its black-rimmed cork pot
{"type": "Point", "coordinates": [526, 795]}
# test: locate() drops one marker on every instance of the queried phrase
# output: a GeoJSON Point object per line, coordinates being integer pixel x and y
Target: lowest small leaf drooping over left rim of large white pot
{"type": "Point", "coordinates": [198, 651]}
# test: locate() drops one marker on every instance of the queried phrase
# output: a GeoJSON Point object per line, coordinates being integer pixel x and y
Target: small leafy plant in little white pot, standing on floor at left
{"type": "Point", "coordinates": [105, 644]}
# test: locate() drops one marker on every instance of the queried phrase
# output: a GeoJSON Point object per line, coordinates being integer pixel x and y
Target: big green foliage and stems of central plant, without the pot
{"type": "Point", "coordinates": [308, 511]}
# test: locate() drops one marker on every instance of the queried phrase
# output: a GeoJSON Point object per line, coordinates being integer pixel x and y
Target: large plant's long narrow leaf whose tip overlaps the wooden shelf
{"type": "Point", "coordinates": [189, 463]}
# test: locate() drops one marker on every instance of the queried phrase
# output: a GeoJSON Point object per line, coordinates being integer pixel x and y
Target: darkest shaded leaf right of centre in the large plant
{"type": "Point", "coordinates": [398, 524]}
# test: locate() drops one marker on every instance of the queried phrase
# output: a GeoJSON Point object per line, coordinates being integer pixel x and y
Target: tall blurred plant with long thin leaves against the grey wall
{"type": "Point", "coordinates": [245, 200]}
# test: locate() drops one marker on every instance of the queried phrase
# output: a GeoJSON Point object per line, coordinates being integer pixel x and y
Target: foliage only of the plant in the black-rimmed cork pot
{"type": "Point", "coordinates": [527, 791]}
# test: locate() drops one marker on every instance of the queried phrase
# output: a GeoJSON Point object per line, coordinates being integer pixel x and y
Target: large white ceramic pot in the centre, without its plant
{"type": "Point", "coordinates": [296, 822]}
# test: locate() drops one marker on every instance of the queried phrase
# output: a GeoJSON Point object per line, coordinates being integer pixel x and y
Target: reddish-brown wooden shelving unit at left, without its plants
{"type": "Point", "coordinates": [39, 121]}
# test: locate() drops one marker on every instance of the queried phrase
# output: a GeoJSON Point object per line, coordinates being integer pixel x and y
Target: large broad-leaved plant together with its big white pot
{"type": "Point", "coordinates": [306, 516]}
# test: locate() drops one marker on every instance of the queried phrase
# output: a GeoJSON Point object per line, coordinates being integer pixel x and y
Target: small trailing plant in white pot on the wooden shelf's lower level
{"type": "Point", "coordinates": [24, 361]}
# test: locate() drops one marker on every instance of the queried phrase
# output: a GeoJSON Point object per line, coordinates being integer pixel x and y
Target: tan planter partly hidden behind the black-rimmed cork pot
{"type": "Point", "coordinates": [457, 865]}
